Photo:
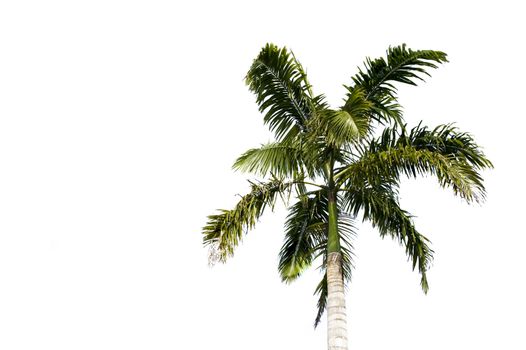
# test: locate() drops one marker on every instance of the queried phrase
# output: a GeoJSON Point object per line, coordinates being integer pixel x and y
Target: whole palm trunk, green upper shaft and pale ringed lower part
{"type": "Point", "coordinates": [336, 314]}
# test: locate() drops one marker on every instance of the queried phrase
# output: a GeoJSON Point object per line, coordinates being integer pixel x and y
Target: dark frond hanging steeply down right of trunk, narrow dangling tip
{"type": "Point", "coordinates": [380, 206]}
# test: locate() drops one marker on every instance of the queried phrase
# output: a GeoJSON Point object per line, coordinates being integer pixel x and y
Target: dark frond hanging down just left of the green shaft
{"type": "Point", "coordinates": [305, 234]}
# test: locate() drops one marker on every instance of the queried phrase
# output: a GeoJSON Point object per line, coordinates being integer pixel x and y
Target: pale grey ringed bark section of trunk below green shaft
{"type": "Point", "coordinates": [336, 314]}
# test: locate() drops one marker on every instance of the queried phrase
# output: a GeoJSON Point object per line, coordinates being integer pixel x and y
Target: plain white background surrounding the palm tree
{"type": "Point", "coordinates": [119, 121]}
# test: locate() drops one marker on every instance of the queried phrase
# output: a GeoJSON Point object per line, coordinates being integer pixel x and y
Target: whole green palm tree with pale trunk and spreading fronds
{"type": "Point", "coordinates": [338, 167]}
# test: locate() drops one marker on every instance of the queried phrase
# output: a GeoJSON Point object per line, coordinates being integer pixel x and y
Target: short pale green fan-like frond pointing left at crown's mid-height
{"type": "Point", "coordinates": [283, 160]}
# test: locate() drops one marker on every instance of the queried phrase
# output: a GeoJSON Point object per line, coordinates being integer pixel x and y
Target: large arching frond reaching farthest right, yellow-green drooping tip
{"type": "Point", "coordinates": [451, 156]}
